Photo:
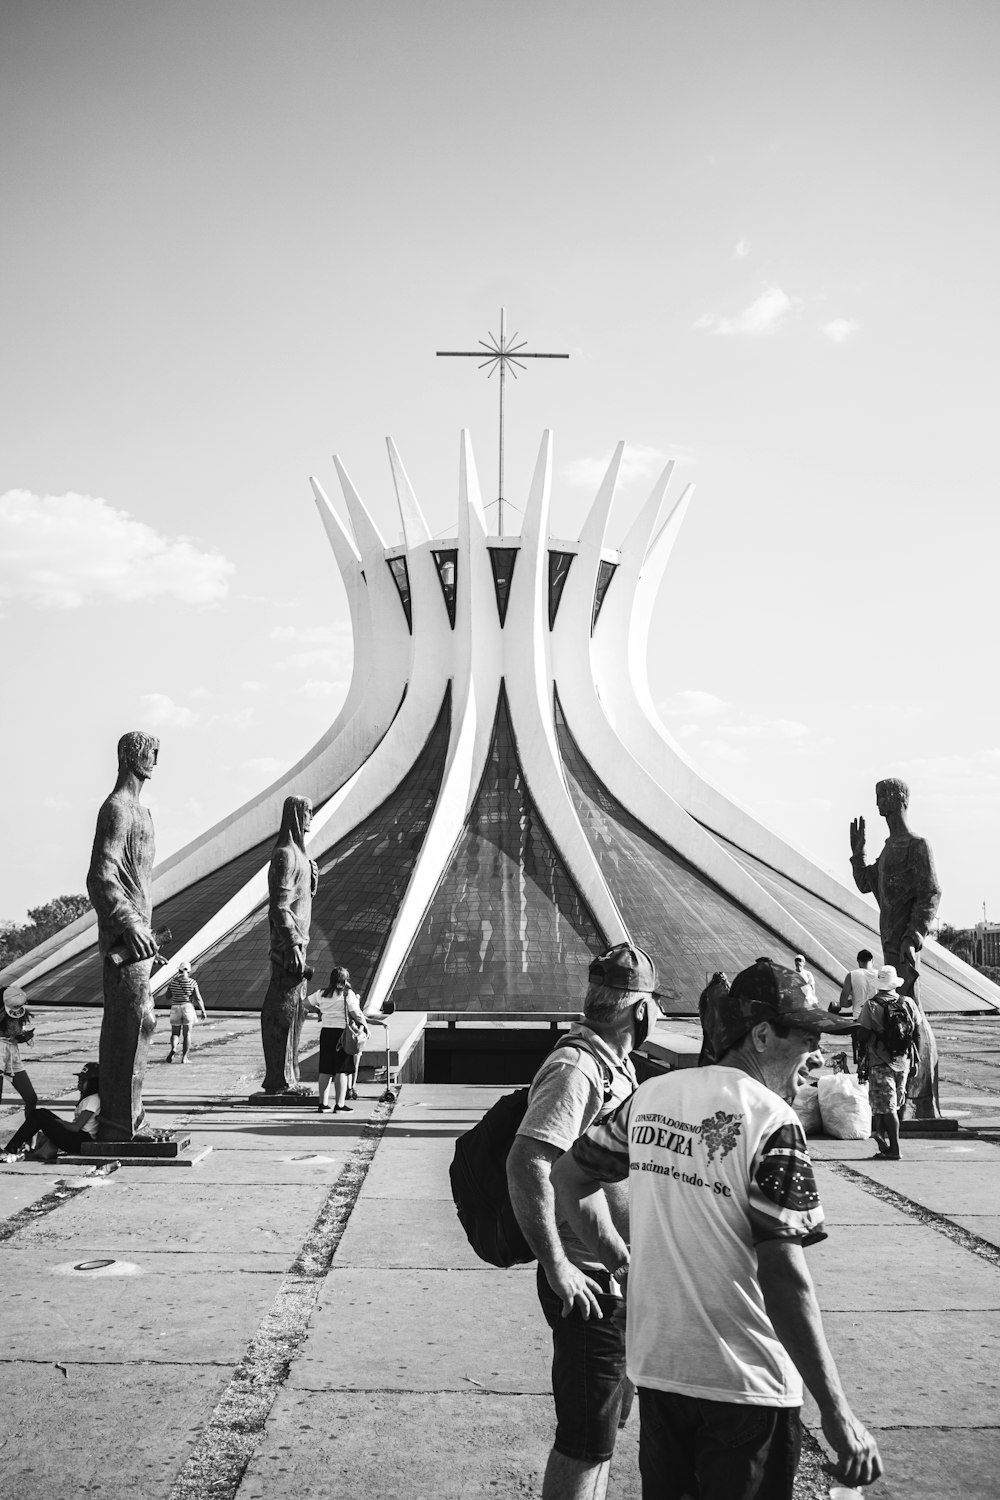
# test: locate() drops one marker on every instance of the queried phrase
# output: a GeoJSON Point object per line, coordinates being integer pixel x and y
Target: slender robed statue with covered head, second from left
{"type": "Point", "coordinates": [292, 884]}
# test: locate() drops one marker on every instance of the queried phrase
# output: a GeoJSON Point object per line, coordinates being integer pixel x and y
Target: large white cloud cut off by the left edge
{"type": "Point", "coordinates": [65, 551]}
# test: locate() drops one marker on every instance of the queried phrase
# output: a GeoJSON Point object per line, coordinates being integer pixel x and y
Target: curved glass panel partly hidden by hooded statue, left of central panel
{"type": "Point", "coordinates": [362, 884]}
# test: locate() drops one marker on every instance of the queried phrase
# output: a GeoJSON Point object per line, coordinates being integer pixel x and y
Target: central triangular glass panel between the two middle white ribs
{"type": "Point", "coordinates": [507, 928]}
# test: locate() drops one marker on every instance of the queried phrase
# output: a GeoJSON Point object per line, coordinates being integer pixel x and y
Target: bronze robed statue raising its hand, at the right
{"type": "Point", "coordinates": [905, 883]}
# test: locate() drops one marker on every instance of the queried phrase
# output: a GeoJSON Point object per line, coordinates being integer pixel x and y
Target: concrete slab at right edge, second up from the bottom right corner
{"type": "Point", "coordinates": [917, 1370]}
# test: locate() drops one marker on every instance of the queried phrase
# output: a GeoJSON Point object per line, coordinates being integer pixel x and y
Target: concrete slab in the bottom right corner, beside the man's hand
{"type": "Point", "coordinates": [938, 1463]}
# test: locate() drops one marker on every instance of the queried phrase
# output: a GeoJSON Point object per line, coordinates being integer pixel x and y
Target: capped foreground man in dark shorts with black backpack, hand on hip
{"type": "Point", "coordinates": [584, 1306]}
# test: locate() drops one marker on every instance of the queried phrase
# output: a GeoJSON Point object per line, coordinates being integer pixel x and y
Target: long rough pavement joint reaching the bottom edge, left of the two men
{"type": "Point", "coordinates": [220, 1462]}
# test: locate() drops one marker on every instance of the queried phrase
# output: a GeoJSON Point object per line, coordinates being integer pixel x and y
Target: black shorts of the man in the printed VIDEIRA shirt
{"type": "Point", "coordinates": [716, 1450]}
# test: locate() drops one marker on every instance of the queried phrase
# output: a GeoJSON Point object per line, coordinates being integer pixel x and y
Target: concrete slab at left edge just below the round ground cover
{"type": "Point", "coordinates": [161, 1316]}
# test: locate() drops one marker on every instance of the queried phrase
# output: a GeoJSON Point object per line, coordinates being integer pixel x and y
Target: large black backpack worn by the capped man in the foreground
{"type": "Point", "coordinates": [479, 1175]}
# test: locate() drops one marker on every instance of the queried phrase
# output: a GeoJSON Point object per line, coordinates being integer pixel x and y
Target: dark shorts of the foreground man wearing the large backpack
{"type": "Point", "coordinates": [590, 1385]}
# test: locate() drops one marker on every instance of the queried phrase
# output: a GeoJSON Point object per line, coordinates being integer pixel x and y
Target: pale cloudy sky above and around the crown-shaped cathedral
{"type": "Point", "coordinates": [235, 236]}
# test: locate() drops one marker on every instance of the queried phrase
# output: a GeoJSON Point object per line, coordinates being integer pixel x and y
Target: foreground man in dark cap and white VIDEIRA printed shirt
{"type": "Point", "coordinates": [723, 1322]}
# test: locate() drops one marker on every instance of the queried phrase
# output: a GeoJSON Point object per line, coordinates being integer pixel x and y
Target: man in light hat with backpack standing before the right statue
{"type": "Point", "coordinates": [888, 1030]}
